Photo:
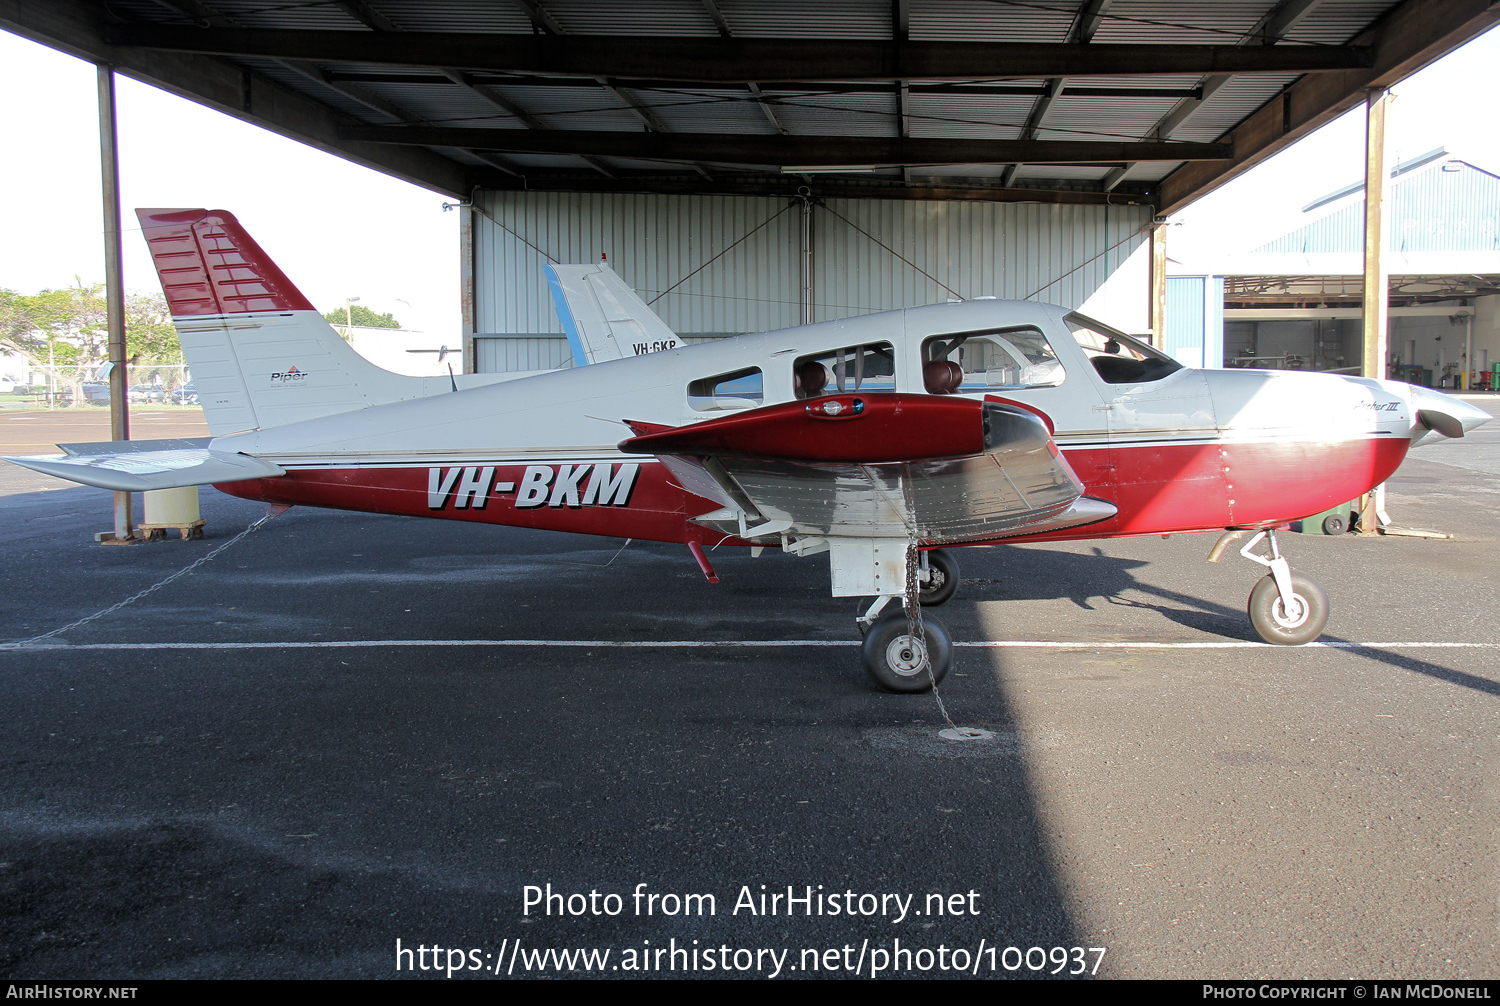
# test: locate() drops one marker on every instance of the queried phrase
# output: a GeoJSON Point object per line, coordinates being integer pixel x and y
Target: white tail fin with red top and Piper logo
{"type": "Point", "coordinates": [260, 355]}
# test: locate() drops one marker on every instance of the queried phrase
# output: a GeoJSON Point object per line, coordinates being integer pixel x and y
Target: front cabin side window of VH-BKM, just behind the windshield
{"type": "Point", "coordinates": [989, 361]}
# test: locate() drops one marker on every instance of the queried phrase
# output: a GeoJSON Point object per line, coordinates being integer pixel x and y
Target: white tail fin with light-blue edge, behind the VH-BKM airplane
{"type": "Point", "coordinates": [604, 319]}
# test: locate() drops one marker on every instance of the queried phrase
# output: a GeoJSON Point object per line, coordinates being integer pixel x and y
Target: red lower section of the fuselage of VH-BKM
{"type": "Point", "coordinates": [1159, 490]}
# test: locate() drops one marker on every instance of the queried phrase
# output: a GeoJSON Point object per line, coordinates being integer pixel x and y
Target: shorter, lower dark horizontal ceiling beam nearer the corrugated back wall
{"type": "Point", "coordinates": [790, 151]}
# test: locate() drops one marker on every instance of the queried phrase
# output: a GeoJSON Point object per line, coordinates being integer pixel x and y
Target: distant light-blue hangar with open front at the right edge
{"type": "Point", "coordinates": [1294, 302]}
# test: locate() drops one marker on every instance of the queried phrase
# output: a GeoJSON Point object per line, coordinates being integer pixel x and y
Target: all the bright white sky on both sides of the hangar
{"type": "Point", "coordinates": [341, 230]}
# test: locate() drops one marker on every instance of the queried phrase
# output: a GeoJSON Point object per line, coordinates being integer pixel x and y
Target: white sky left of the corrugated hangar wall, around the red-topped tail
{"type": "Point", "coordinates": [337, 230]}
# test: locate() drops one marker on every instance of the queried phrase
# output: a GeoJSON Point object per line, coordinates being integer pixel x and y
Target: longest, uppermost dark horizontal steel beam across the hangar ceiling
{"type": "Point", "coordinates": [742, 59]}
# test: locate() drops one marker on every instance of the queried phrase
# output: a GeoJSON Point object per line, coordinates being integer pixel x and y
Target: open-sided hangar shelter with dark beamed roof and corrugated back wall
{"type": "Point", "coordinates": [757, 166]}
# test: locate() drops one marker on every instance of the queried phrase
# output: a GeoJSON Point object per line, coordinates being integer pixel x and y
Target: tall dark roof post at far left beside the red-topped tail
{"type": "Point", "coordinates": [115, 289]}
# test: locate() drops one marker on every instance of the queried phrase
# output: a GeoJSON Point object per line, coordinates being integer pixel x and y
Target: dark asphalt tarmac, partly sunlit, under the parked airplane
{"type": "Point", "coordinates": [248, 809]}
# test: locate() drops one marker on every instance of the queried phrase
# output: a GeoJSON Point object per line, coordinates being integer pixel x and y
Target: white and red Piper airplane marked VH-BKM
{"type": "Point", "coordinates": [884, 440]}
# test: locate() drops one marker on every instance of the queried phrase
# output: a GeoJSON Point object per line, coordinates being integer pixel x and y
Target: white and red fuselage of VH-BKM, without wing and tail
{"type": "Point", "coordinates": [1189, 452]}
